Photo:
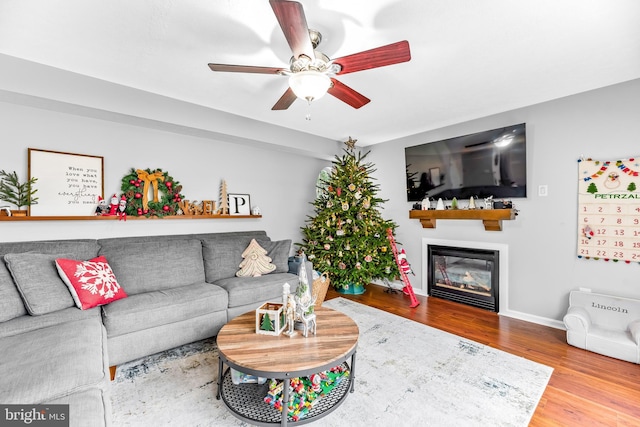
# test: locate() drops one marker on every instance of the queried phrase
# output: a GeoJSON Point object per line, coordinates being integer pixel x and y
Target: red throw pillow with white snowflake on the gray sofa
{"type": "Point", "coordinates": [91, 283]}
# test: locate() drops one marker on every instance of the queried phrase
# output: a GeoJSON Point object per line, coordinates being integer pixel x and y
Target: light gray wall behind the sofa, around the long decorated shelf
{"type": "Point", "coordinates": [282, 184]}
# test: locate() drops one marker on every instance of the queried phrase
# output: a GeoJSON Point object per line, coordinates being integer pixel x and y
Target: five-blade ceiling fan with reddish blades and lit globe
{"type": "Point", "coordinates": [311, 73]}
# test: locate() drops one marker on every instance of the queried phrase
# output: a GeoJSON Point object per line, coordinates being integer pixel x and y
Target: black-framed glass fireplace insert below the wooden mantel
{"type": "Point", "coordinates": [464, 275]}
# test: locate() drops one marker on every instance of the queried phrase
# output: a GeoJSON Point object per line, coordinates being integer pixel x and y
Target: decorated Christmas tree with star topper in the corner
{"type": "Point", "coordinates": [347, 236]}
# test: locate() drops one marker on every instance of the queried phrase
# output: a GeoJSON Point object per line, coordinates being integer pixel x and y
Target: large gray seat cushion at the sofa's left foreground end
{"type": "Point", "coordinates": [49, 363]}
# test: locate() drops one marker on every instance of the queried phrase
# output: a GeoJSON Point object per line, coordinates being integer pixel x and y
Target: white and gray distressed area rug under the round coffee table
{"type": "Point", "coordinates": [407, 373]}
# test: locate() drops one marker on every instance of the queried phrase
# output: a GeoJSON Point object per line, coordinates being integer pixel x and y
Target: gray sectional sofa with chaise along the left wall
{"type": "Point", "coordinates": [181, 288]}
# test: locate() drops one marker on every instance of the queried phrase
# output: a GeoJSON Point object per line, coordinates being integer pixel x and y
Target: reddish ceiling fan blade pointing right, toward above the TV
{"type": "Point", "coordinates": [379, 57]}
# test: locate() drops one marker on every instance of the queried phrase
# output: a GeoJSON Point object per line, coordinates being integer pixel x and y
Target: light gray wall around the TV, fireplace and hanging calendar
{"type": "Point", "coordinates": [543, 268]}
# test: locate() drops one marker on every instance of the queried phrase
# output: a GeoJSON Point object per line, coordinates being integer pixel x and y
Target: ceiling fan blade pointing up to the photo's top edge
{"type": "Point", "coordinates": [290, 15]}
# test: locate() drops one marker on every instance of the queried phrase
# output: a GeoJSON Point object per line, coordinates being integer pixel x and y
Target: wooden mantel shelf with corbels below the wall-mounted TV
{"type": "Point", "coordinates": [491, 218]}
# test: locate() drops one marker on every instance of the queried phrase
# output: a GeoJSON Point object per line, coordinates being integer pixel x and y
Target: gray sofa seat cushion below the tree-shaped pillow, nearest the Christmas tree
{"type": "Point", "coordinates": [249, 290]}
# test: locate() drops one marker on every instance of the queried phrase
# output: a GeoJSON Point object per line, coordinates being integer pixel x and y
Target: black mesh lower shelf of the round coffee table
{"type": "Point", "coordinates": [246, 401]}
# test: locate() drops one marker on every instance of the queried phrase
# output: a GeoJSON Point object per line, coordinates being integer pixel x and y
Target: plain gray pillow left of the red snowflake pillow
{"type": "Point", "coordinates": [38, 282]}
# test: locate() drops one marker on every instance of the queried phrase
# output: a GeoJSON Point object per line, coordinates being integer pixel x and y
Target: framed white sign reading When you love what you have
{"type": "Point", "coordinates": [68, 184]}
